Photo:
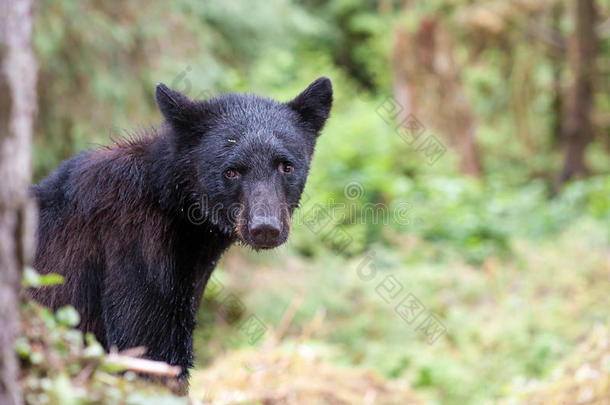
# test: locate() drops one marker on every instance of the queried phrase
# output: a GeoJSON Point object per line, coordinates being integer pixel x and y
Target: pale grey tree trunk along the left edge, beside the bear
{"type": "Point", "coordinates": [17, 108]}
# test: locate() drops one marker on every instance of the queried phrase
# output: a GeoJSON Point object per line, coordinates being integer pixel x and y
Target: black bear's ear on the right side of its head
{"type": "Point", "coordinates": [313, 104]}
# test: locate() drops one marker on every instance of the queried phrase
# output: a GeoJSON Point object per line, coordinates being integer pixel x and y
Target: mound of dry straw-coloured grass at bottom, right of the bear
{"type": "Point", "coordinates": [276, 375]}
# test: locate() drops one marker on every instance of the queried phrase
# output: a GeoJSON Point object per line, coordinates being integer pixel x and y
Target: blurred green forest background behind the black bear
{"type": "Point", "coordinates": [453, 241]}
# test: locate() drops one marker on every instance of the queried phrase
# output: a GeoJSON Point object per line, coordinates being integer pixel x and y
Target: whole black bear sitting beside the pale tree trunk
{"type": "Point", "coordinates": [117, 221]}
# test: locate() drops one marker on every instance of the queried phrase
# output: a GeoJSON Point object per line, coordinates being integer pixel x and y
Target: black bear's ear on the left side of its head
{"type": "Point", "coordinates": [178, 109]}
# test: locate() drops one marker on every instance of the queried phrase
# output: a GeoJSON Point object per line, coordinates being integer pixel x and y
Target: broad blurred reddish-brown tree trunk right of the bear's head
{"type": "Point", "coordinates": [428, 80]}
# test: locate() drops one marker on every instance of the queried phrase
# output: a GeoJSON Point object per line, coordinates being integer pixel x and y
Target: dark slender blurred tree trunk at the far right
{"type": "Point", "coordinates": [577, 128]}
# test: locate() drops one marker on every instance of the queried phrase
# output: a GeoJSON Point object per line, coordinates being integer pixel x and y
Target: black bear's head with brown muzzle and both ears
{"type": "Point", "coordinates": [249, 156]}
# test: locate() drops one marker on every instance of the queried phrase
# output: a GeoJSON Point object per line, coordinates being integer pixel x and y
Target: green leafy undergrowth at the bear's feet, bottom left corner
{"type": "Point", "coordinates": [61, 366]}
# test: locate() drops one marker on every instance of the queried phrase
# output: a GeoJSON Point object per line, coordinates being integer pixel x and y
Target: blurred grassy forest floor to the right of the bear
{"type": "Point", "coordinates": [337, 332]}
